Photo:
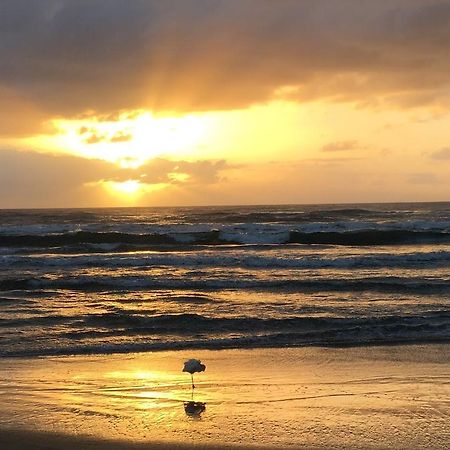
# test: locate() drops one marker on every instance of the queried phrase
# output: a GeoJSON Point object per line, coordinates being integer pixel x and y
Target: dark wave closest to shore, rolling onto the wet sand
{"type": "Point", "coordinates": [193, 331]}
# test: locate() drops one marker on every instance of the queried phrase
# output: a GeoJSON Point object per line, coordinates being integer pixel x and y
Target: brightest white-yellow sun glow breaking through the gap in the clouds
{"type": "Point", "coordinates": [130, 139]}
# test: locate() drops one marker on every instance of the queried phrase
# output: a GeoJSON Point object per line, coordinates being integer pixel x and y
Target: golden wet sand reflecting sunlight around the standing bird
{"type": "Point", "coordinates": [366, 397]}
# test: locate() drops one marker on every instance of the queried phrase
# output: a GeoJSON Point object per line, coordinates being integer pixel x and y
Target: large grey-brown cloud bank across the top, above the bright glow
{"type": "Point", "coordinates": [69, 56]}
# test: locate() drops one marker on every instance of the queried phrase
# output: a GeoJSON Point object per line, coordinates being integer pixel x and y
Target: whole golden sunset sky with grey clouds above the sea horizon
{"type": "Point", "coordinates": [196, 102]}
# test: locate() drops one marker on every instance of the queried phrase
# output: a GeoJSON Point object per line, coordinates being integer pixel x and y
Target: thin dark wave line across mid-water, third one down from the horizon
{"type": "Point", "coordinates": [401, 284]}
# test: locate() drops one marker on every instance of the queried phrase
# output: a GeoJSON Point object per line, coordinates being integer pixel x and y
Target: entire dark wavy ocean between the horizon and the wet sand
{"type": "Point", "coordinates": [122, 280]}
